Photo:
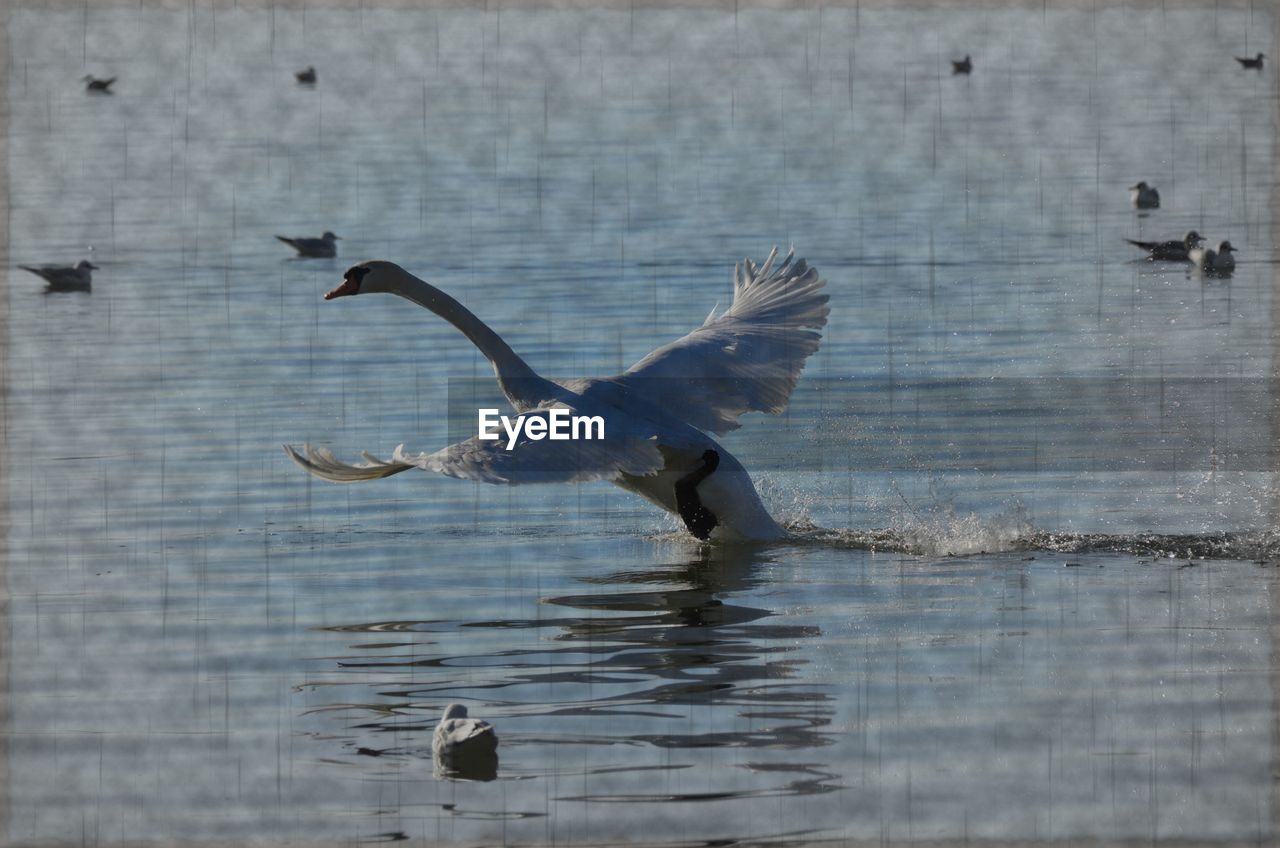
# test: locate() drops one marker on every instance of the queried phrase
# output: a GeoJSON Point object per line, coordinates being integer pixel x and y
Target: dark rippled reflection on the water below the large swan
{"type": "Point", "coordinates": [632, 663]}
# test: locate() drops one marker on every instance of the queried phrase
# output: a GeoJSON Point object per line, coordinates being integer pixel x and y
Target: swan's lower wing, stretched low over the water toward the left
{"type": "Point", "coordinates": [623, 452]}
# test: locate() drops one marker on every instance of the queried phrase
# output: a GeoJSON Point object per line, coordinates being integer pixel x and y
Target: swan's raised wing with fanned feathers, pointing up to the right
{"type": "Point", "coordinates": [747, 359]}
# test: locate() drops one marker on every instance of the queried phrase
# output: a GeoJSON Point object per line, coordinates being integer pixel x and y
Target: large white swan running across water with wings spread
{"type": "Point", "coordinates": [660, 414]}
